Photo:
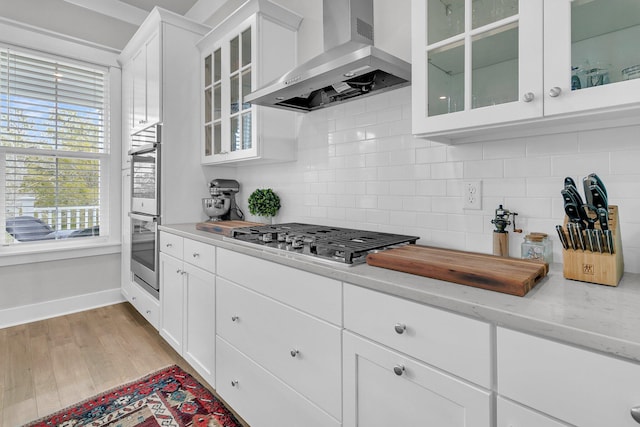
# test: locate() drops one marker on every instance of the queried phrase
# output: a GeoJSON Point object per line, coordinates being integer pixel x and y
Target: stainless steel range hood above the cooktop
{"type": "Point", "coordinates": [351, 67]}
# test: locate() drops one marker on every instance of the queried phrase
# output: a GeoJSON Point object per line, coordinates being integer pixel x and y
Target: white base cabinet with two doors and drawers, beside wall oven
{"type": "Point", "coordinates": [187, 297]}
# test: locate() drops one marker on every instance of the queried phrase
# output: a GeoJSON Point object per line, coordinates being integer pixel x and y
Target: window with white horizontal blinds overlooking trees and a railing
{"type": "Point", "coordinates": [53, 149]}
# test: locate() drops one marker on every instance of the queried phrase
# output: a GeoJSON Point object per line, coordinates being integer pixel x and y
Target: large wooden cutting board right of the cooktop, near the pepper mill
{"type": "Point", "coordinates": [512, 276]}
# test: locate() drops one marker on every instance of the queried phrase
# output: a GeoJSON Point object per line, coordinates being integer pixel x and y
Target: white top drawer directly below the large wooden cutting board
{"type": "Point", "coordinates": [449, 341]}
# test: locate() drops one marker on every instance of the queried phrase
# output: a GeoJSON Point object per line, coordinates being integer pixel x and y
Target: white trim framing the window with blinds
{"type": "Point", "coordinates": [57, 46]}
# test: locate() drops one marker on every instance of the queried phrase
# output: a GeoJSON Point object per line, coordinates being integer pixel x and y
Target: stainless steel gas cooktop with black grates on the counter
{"type": "Point", "coordinates": [343, 245]}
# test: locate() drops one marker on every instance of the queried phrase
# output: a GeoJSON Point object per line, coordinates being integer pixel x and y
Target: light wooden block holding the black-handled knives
{"type": "Point", "coordinates": [595, 267]}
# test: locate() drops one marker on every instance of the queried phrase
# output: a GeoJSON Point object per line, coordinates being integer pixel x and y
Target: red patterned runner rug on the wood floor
{"type": "Point", "coordinates": [170, 397]}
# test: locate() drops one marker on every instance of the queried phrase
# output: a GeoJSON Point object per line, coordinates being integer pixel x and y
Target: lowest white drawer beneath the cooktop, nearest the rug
{"type": "Point", "coordinates": [259, 397]}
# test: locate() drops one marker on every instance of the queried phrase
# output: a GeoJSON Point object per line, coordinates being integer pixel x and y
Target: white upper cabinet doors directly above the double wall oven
{"type": "Point", "coordinates": [146, 89]}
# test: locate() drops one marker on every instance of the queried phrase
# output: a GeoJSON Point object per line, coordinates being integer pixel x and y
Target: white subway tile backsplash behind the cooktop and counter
{"type": "Point", "coordinates": [359, 166]}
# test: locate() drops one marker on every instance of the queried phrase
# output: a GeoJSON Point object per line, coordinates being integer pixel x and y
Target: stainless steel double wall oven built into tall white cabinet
{"type": "Point", "coordinates": [145, 207]}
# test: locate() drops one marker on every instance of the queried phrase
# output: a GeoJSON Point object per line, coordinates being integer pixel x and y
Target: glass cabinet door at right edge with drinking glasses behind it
{"type": "Point", "coordinates": [593, 59]}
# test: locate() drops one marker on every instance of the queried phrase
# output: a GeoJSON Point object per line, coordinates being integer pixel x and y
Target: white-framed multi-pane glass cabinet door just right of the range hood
{"type": "Point", "coordinates": [479, 54]}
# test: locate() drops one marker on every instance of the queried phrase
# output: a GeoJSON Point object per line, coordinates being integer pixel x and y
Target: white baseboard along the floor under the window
{"type": "Point", "coordinates": [45, 310]}
